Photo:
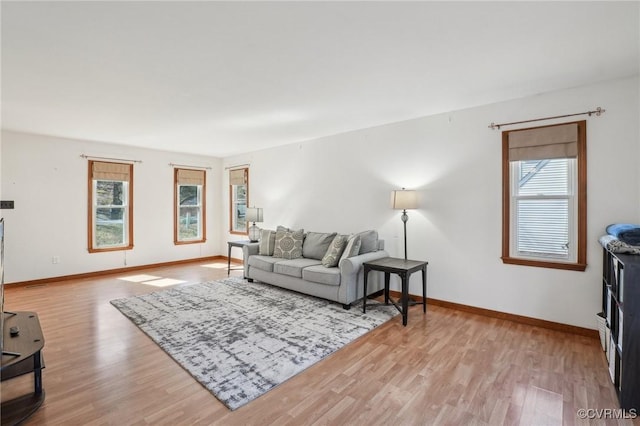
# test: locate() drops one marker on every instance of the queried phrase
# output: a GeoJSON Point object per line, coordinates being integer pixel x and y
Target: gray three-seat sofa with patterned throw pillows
{"type": "Point", "coordinates": [325, 265]}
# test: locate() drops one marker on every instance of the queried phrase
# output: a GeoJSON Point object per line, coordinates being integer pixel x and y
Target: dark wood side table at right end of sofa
{"type": "Point", "coordinates": [403, 268]}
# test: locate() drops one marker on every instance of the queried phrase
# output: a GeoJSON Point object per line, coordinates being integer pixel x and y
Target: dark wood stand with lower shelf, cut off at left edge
{"type": "Point", "coordinates": [22, 354]}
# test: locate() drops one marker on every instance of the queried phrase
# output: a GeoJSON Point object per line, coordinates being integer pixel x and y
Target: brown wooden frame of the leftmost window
{"type": "Point", "coordinates": [92, 209]}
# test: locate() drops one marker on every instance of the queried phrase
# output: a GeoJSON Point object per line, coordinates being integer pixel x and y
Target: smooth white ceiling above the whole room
{"type": "Point", "coordinates": [223, 78]}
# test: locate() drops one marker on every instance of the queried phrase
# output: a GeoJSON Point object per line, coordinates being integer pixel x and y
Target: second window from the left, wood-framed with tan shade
{"type": "Point", "coordinates": [189, 224]}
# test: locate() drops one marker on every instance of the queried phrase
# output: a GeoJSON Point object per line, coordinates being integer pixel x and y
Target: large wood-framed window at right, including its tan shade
{"type": "Point", "coordinates": [544, 196]}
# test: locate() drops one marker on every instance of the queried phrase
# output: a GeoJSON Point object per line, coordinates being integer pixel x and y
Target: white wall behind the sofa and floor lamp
{"type": "Point", "coordinates": [342, 183]}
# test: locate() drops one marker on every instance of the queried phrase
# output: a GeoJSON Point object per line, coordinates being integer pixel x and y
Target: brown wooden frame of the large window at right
{"type": "Point", "coordinates": [579, 215]}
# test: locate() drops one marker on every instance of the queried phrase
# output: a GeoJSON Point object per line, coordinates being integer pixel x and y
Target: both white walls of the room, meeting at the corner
{"type": "Point", "coordinates": [342, 183]}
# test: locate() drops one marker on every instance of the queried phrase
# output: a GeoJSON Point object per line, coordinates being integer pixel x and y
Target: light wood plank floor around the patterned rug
{"type": "Point", "coordinates": [448, 367]}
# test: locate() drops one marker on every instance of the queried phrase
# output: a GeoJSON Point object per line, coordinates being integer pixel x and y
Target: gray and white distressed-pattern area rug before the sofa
{"type": "Point", "coordinates": [241, 339]}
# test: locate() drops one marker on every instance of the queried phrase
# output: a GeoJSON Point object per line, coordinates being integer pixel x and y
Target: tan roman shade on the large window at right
{"type": "Point", "coordinates": [560, 141]}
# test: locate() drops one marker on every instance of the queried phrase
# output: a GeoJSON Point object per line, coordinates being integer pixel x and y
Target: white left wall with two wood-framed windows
{"type": "Point", "coordinates": [47, 178]}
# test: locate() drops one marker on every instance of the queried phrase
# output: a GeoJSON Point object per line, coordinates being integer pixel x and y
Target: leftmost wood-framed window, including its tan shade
{"type": "Point", "coordinates": [111, 213]}
